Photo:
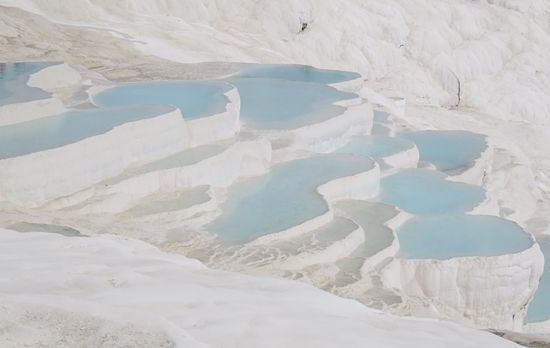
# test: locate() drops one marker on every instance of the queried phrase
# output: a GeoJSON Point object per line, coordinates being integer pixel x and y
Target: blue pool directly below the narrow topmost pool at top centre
{"type": "Point", "coordinates": [280, 104]}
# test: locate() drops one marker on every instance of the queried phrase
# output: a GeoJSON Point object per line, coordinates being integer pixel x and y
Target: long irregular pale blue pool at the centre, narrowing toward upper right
{"type": "Point", "coordinates": [283, 198]}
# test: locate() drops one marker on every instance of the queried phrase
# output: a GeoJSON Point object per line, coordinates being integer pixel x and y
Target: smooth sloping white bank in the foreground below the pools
{"type": "Point", "coordinates": [115, 291]}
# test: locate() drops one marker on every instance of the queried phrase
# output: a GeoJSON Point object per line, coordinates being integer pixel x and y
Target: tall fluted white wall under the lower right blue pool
{"type": "Point", "coordinates": [467, 289]}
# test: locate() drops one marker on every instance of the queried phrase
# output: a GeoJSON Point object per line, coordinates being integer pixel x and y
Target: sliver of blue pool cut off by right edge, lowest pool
{"type": "Point", "coordinates": [539, 309]}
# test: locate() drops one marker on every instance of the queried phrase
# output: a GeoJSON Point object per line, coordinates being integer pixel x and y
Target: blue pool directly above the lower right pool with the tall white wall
{"type": "Point", "coordinates": [426, 192]}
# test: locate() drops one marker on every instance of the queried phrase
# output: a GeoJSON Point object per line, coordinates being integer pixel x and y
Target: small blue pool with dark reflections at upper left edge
{"type": "Point", "coordinates": [13, 82]}
